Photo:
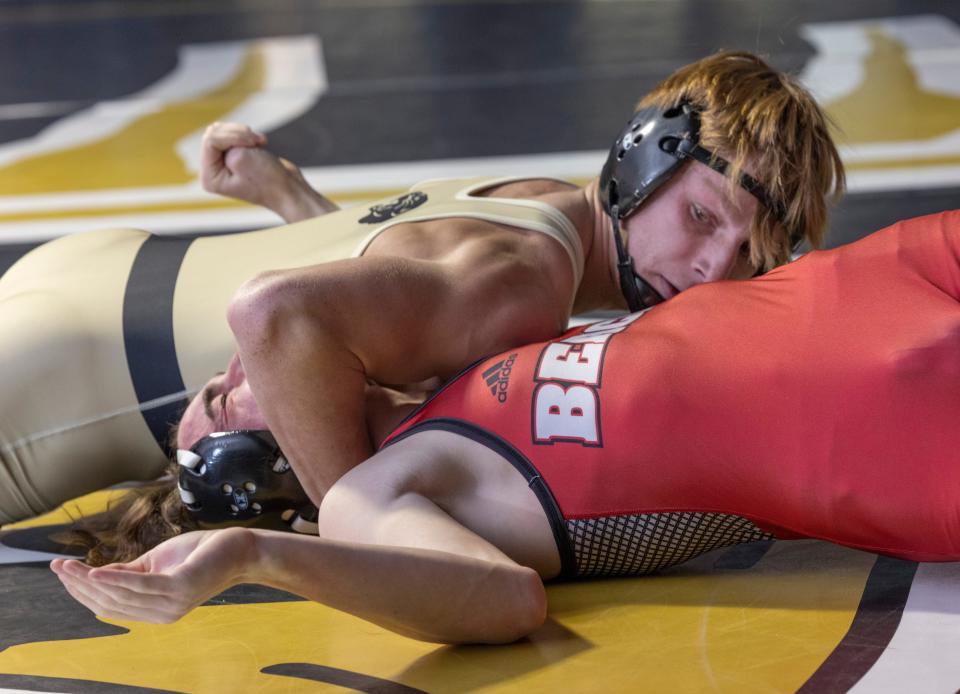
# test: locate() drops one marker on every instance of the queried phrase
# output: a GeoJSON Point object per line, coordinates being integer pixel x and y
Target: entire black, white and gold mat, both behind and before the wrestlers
{"type": "Point", "coordinates": [113, 84]}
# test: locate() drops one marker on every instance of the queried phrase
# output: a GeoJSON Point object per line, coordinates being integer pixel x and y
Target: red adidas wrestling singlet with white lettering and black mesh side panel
{"type": "Point", "coordinates": [820, 400]}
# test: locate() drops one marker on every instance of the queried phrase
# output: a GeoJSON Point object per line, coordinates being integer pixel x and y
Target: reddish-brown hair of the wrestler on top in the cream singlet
{"type": "Point", "coordinates": [763, 118]}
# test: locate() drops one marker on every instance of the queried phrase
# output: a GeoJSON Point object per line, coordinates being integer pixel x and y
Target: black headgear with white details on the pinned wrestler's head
{"type": "Point", "coordinates": [239, 476]}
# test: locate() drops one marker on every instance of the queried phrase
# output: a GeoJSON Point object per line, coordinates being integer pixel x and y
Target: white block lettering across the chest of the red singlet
{"type": "Point", "coordinates": [566, 399]}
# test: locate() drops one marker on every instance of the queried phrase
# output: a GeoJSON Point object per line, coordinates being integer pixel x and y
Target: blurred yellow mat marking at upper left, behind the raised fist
{"type": "Point", "coordinates": [141, 154]}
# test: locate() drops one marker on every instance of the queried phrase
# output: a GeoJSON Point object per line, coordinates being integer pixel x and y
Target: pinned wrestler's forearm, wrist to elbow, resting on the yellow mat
{"type": "Point", "coordinates": [424, 594]}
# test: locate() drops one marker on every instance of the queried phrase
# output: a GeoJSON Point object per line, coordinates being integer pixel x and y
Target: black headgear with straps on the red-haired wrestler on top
{"type": "Point", "coordinates": [648, 151]}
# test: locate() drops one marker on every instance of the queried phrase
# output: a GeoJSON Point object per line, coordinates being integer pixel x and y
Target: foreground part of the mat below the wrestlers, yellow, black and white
{"type": "Point", "coordinates": [768, 616]}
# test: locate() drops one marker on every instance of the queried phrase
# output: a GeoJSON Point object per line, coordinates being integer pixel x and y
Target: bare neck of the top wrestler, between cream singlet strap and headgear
{"type": "Point", "coordinates": [600, 288]}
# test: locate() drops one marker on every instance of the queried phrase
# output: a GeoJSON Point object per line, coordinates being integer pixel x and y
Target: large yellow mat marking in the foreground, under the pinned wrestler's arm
{"type": "Point", "coordinates": [763, 629]}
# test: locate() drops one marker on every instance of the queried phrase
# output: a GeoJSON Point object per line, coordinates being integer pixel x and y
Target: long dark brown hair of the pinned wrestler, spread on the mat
{"type": "Point", "coordinates": [142, 519]}
